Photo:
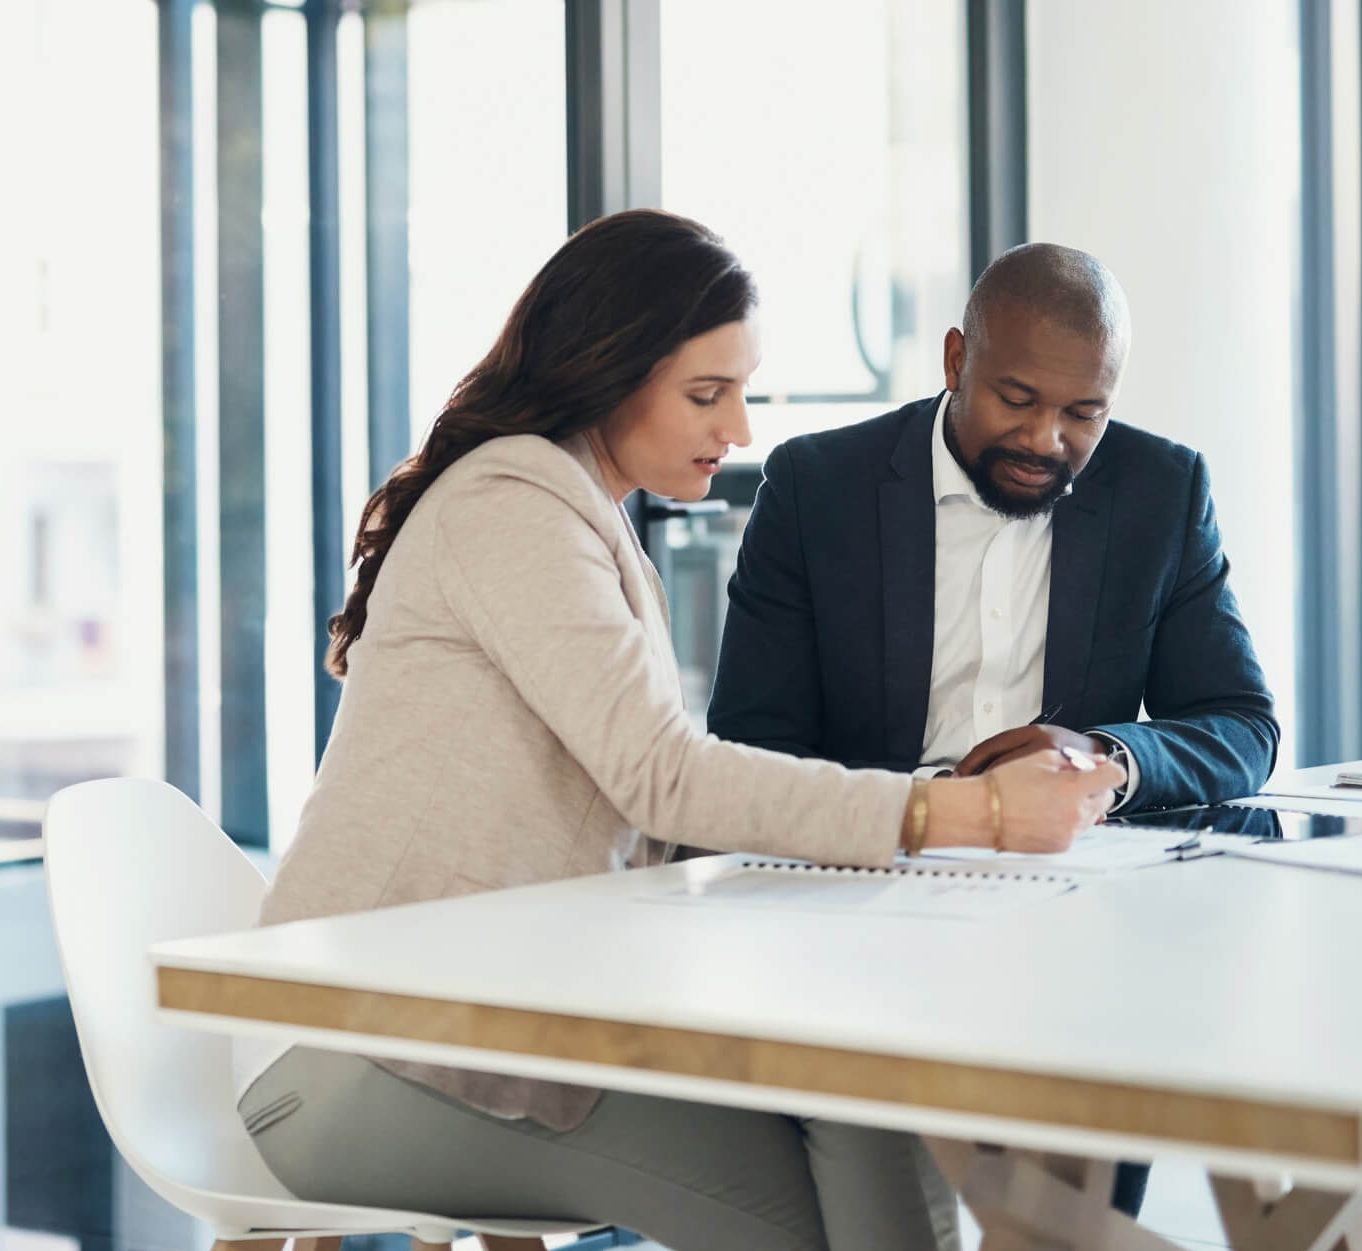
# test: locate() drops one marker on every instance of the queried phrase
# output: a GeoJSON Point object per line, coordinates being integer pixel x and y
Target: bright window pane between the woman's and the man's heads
{"type": "Point", "coordinates": [837, 171]}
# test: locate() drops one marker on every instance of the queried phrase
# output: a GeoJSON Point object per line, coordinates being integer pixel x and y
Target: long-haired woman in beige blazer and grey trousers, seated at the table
{"type": "Point", "coordinates": [513, 715]}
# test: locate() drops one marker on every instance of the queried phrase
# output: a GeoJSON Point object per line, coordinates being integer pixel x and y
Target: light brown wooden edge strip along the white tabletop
{"type": "Point", "coordinates": [1011, 1095]}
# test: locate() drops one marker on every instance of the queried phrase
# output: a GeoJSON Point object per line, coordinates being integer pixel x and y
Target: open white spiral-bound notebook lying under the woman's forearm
{"type": "Point", "coordinates": [943, 891]}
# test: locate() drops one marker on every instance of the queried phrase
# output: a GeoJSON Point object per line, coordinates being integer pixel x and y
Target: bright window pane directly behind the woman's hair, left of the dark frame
{"type": "Point", "coordinates": [490, 198]}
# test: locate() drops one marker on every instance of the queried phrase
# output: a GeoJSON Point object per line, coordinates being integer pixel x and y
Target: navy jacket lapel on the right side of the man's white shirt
{"type": "Point", "coordinates": [1078, 560]}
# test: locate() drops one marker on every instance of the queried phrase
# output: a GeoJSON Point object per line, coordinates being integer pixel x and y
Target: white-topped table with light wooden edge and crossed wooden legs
{"type": "Point", "coordinates": [1210, 1011]}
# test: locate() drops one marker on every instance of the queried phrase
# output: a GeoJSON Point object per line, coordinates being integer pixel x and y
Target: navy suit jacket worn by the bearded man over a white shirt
{"type": "Point", "coordinates": [827, 647]}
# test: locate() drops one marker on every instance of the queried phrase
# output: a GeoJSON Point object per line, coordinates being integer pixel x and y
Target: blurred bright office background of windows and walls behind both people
{"type": "Point", "coordinates": [249, 247]}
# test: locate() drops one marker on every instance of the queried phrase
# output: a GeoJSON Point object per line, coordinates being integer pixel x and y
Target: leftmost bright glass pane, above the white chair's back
{"type": "Point", "coordinates": [81, 634]}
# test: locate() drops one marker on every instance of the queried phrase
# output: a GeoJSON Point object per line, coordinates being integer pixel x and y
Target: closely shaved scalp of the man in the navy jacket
{"type": "Point", "coordinates": [1063, 287]}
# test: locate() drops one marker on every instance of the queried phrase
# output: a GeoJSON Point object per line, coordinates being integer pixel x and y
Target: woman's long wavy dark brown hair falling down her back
{"type": "Point", "coordinates": [615, 300]}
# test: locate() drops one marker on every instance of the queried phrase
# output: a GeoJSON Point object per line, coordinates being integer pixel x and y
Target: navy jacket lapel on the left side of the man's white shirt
{"type": "Point", "coordinates": [908, 553]}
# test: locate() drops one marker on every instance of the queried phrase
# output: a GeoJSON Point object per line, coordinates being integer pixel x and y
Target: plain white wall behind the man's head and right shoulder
{"type": "Point", "coordinates": [1165, 140]}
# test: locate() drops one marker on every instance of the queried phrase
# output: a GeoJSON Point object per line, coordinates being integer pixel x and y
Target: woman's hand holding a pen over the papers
{"type": "Point", "coordinates": [1047, 802]}
